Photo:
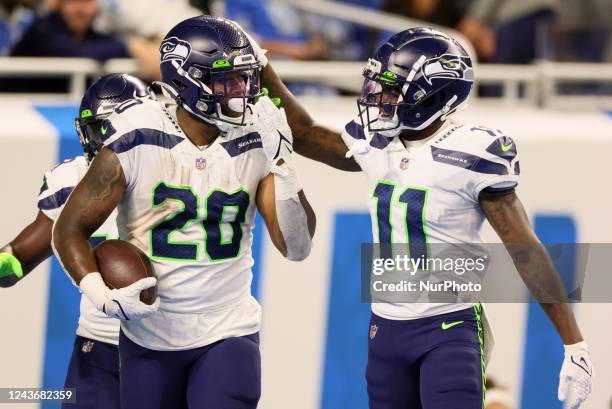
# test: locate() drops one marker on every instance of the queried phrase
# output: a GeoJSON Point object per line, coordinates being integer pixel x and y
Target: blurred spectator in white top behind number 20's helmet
{"type": "Point", "coordinates": [142, 24]}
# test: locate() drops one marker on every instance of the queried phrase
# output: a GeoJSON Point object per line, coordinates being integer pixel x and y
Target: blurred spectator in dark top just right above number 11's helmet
{"type": "Point", "coordinates": [523, 29]}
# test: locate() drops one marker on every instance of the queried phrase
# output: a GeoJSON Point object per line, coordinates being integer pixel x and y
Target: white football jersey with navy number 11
{"type": "Point", "coordinates": [427, 192]}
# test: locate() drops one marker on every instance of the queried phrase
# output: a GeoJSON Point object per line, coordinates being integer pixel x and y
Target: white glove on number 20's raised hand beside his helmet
{"type": "Point", "coordinates": [276, 136]}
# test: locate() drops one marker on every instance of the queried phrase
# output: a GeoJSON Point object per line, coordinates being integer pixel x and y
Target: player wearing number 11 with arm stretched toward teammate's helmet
{"type": "Point", "coordinates": [432, 181]}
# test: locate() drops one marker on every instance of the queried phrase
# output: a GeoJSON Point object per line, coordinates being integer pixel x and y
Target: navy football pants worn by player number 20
{"type": "Point", "coordinates": [223, 375]}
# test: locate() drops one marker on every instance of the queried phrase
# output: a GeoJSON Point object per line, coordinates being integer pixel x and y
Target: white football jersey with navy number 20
{"type": "Point", "coordinates": [191, 210]}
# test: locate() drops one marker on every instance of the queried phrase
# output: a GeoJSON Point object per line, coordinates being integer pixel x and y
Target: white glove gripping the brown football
{"type": "Point", "coordinates": [121, 303]}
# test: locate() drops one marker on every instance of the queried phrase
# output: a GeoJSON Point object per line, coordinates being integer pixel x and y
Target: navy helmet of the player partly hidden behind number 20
{"type": "Point", "coordinates": [99, 101]}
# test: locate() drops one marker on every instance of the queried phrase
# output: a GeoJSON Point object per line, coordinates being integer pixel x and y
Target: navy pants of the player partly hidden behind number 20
{"type": "Point", "coordinates": [94, 372]}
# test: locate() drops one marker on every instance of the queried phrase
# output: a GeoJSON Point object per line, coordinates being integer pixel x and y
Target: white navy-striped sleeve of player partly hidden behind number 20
{"type": "Point", "coordinates": [57, 185]}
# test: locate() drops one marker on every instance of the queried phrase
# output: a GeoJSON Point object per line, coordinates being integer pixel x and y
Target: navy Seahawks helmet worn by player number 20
{"type": "Point", "coordinates": [209, 67]}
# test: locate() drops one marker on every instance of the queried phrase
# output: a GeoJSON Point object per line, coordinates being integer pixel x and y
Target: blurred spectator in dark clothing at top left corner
{"type": "Point", "coordinates": [69, 32]}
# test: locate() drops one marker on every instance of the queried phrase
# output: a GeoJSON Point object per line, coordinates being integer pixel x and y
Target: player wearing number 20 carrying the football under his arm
{"type": "Point", "coordinates": [187, 179]}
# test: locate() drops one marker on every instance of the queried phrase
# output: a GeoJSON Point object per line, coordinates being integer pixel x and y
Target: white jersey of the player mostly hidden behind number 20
{"type": "Point", "coordinates": [57, 186]}
